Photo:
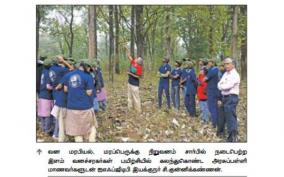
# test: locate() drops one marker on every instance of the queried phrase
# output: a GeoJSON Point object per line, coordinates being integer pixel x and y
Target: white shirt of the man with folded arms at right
{"type": "Point", "coordinates": [230, 83]}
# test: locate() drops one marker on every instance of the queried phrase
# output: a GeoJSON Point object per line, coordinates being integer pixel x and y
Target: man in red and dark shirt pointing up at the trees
{"type": "Point", "coordinates": [134, 100]}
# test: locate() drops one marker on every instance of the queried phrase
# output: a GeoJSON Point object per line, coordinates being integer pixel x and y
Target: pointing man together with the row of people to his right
{"type": "Point", "coordinates": [217, 90]}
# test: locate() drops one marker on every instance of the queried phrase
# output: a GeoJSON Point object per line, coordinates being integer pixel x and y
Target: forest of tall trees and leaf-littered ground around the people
{"type": "Point", "coordinates": [153, 32]}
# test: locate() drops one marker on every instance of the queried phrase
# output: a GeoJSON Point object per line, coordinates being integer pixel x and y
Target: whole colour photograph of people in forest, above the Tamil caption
{"type": "Point", "coordinates": [141, 73]}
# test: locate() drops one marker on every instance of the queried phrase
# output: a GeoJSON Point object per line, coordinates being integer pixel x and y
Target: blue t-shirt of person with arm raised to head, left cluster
{"type": "Point", "coordinates": [56, 73]}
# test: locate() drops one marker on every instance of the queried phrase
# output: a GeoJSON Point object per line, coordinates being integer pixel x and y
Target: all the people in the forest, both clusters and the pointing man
{"type": "Point", "coordinates": [72, 92]}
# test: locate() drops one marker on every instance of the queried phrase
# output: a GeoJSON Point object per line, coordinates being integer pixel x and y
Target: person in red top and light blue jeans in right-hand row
{"type": "Point", "coordinates": [202, 96]}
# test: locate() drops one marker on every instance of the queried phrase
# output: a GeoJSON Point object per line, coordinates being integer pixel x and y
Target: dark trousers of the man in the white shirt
{"type": "Point", "coordinates": [228, 114]}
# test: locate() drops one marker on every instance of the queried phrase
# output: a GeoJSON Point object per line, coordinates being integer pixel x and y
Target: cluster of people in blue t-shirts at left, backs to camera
{"type": "Point", "coordinates": [70, 93]}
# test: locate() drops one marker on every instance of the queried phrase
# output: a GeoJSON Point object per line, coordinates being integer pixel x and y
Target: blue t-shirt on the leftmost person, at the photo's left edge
{"type": "Point", "coordinates": [43, 91]}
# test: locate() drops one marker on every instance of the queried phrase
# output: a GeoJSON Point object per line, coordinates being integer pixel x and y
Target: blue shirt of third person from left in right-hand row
{"type": "Point", "coordinates": [191, 81]}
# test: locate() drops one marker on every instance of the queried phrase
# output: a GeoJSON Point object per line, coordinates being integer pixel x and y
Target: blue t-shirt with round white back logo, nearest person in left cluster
{"type": "Point", "coordinates": [78, 82]}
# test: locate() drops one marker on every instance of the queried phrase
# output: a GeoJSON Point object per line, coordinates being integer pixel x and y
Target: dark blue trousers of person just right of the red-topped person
{"type": "Point", "coordinates": [213, 106]}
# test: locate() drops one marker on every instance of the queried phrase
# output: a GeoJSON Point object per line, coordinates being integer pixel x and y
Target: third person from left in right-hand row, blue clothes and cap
{"type": "Point", "coordinates": [189, 78]}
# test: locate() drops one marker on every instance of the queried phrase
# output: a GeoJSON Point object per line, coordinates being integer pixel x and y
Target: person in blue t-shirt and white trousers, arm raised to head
{"type": "Point", "coordinates": [56, 74]}
